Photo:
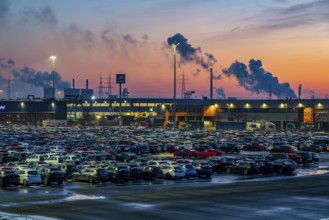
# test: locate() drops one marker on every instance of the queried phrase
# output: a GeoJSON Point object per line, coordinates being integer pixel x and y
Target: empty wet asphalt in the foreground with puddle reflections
{"type": "Point", "coordinates": [302, 195]}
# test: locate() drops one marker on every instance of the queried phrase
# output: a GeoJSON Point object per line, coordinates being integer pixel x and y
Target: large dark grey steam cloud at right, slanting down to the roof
{"type": "Point", "coordinates": [256, 80]}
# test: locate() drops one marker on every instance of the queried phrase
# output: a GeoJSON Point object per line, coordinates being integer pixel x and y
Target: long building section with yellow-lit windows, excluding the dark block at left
{"type": "Point", "coordinates": [286, 114]}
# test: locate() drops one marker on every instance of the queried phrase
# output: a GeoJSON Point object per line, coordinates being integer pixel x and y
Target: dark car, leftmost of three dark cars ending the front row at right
{"type": "Point", "coordinates": [244, 167]}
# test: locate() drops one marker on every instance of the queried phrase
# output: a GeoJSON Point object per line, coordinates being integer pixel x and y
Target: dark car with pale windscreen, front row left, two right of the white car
{"type": "Point", "coordinates": [91, 175]}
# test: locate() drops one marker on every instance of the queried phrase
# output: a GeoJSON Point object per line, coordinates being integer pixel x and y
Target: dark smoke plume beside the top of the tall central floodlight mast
{"type": "Point", "coordinates": [191, 54]}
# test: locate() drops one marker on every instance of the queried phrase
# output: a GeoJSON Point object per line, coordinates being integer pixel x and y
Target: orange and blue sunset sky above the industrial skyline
{"type": "Point", "coordinates": [90, 38]}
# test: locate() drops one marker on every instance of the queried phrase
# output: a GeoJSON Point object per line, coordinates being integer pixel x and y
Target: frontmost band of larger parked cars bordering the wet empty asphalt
{"type": "Point", "coordinates": [149, 168]}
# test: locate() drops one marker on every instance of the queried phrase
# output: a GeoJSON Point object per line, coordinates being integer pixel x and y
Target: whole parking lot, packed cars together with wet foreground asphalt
{"type": "Point", "coordinates": [254, 184]}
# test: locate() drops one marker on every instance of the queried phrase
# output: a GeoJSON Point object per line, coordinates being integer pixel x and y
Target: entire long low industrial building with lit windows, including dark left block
{"type": "Point", "coordinates": [80, 106]}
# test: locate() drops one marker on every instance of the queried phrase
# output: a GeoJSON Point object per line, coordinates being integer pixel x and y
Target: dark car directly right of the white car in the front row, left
{"type": "Point", "coordinates": [51, 175]}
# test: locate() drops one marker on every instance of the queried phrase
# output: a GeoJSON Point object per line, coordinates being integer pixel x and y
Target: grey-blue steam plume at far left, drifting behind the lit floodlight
{"type": "Point", "coordinates": [33, 77]}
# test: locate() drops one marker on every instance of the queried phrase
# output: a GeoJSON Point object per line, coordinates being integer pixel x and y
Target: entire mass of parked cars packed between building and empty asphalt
{"type": "Point", "coordinates": [103, 154]}
